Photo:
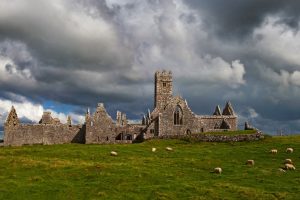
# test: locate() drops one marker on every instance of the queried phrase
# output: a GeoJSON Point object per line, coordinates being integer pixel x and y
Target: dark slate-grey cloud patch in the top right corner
{"type": "Point", "coordinates": [236, 19]}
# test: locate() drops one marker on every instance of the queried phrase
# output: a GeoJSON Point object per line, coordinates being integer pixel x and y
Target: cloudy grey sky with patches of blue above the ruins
{"type": "Point", "coordinates": [67, 55]}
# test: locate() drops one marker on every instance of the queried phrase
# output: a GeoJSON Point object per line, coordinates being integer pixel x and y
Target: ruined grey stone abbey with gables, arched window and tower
{"type": "Point", "coordinates": [171, 116]}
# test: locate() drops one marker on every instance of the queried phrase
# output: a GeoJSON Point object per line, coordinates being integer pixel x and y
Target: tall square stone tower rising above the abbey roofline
{"type": "Point", "coordinates": [163, 90]}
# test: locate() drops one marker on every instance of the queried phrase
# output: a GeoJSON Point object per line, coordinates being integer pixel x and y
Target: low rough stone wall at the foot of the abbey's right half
{"type": "Point", "coordinates": [216, 138]}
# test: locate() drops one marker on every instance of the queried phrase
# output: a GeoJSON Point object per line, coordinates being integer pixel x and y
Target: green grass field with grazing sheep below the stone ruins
{"type": "Point", "coordinates": [75, 171]}
